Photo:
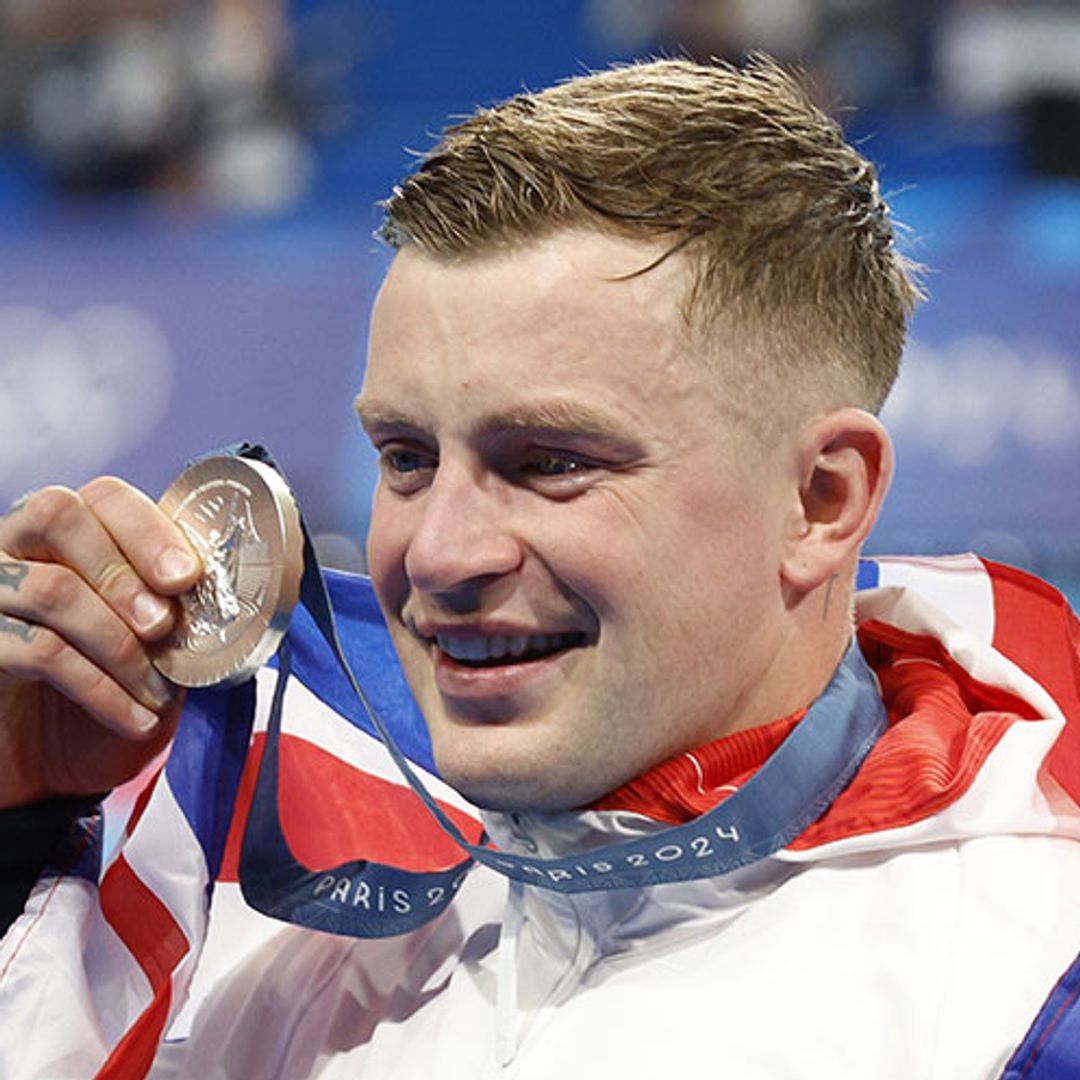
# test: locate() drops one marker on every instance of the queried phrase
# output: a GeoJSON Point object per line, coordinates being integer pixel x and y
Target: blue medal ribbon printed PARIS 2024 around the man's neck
{"type": "Point", "coordinates": [366, 899]}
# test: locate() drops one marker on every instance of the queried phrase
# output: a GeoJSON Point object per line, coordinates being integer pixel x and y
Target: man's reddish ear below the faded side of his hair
{"type": "Point", "coordinates": [844, 466]}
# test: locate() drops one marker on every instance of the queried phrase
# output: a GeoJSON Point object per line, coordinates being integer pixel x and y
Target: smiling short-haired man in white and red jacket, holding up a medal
{"type": "Point", "coordinates": [623, 382]}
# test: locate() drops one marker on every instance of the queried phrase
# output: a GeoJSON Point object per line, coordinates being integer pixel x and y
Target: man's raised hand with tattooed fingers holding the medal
{"type": "Point", "coordinates": [87, 580]}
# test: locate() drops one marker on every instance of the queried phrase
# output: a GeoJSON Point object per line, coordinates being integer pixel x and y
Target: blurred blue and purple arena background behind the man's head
{"type": "Point", "coordinates": [188, 197]}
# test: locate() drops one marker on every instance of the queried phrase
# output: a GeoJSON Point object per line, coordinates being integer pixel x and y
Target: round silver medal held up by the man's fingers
{"type": "Point", "coordinates": [241, 521]}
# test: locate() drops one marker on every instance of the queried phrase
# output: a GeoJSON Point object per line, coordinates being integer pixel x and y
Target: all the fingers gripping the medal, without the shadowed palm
{"type": "Point", "coordinates": [86, 583]}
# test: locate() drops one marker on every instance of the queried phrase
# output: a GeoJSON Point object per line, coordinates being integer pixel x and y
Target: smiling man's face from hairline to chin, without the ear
{"type": "Point", "coordinates": [578, 568]}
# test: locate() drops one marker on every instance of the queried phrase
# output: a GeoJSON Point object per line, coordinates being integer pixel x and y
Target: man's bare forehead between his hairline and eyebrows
{"type": "Point", "coordinates": [574, 309]}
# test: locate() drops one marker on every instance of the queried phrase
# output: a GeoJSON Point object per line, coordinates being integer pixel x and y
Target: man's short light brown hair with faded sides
{"type": "Point", "coordinates": [789, 245]}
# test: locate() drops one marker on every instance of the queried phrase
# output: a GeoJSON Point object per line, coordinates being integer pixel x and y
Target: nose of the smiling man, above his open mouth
{"type": "Point", "coordinates": [463, 537]}
